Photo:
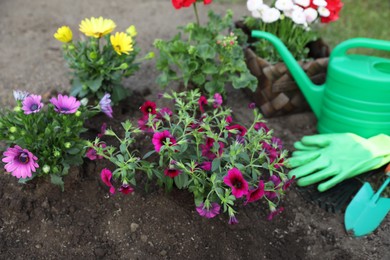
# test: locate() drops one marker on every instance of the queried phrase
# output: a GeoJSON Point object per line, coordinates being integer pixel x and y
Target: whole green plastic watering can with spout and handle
{"type": "Point", "coordinates": [356, 95]}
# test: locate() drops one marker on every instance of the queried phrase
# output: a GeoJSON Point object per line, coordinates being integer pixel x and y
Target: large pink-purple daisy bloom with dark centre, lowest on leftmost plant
{"type": "Point", "coordinates": [20, 162]}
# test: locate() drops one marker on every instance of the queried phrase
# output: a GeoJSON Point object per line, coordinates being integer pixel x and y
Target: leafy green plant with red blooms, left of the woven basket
{"type": "Point", "coordinates": [205, 58]}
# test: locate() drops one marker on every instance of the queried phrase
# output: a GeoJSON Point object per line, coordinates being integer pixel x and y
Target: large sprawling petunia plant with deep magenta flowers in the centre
{"type": "Point", "coordinates": [199, 147]}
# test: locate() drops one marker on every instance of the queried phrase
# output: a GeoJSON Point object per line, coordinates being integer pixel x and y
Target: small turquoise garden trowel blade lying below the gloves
{"type": "Point", "coordinates": [367, 210]}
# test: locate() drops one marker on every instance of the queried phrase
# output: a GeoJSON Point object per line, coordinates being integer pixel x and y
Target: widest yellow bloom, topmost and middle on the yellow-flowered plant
{"type": "Point", "coordinates": [97, 27]}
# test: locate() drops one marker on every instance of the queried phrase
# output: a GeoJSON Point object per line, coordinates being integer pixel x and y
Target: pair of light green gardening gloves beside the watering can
{"type": "Point", "coordinates": [337, 157]}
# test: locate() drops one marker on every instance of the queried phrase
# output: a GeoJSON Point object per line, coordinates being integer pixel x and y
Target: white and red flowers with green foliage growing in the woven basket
{"type": "Point", "coordinates": [292, 21]}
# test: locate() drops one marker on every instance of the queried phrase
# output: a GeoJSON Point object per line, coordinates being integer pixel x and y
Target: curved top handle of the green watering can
{"type": "Point", "coordinates": [342, 48]}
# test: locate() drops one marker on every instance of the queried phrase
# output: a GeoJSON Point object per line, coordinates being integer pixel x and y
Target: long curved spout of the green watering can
{"type": "Point", "coordinates": [313, 93]}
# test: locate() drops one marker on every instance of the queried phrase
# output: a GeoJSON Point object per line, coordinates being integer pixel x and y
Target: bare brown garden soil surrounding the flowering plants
{"type": "Point", "coordinates": [38, 221]}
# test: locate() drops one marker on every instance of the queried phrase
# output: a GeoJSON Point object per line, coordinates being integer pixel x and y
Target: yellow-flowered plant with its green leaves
{"type": "Point", "coordinates": [100, 62]}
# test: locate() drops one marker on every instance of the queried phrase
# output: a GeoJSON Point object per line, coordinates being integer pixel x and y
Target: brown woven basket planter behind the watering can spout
{"type": "Point", "coordinates": [277, 92]}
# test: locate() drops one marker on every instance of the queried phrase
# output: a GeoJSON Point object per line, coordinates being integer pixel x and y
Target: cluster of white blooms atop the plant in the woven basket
{"type": "Point", "coordinates": [300, 11]}
